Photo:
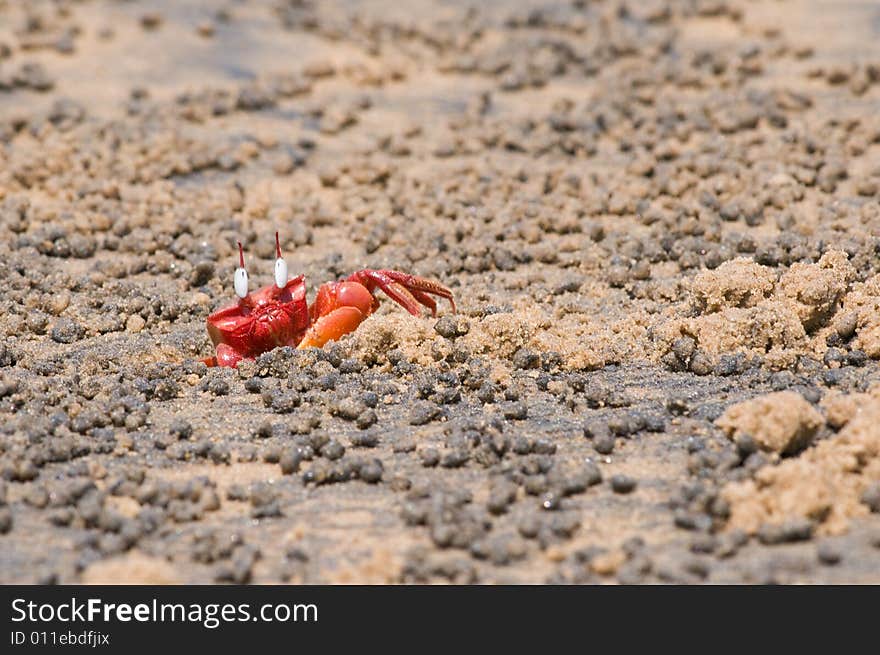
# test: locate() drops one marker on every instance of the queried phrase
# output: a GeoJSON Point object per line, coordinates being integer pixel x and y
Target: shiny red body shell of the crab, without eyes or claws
{"type": "Point", "coordinates": [265, 319]}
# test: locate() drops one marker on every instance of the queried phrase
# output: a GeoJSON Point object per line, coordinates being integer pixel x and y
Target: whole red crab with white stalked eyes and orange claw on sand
{"type": "Point", "coordinates": [277, 315]}
